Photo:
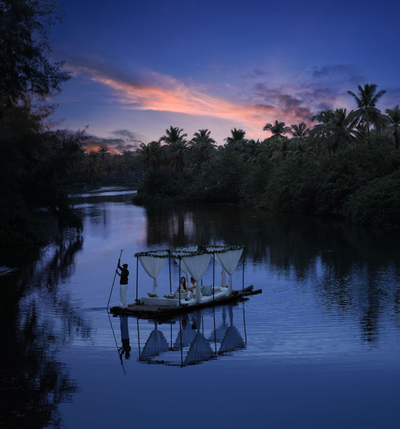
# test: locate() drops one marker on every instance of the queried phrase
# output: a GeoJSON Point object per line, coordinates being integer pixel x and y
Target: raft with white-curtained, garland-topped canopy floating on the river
{"type": "Point", "coordinates": [193, 261]}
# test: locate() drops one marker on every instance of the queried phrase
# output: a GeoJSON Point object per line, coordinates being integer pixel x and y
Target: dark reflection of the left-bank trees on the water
{"type": "Point", "coordinates": [32, 381]}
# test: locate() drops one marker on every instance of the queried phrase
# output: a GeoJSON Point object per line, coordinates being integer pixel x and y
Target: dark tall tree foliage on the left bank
{"type": "Point", "coordinates": [34, 160]}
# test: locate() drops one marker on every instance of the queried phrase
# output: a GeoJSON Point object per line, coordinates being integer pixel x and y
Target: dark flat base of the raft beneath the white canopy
{"type": "Point", "coordinates": [155, 311]}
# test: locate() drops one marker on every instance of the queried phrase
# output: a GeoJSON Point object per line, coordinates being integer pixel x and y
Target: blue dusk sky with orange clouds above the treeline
{"type": "Point", "coordinates": [139, 67]}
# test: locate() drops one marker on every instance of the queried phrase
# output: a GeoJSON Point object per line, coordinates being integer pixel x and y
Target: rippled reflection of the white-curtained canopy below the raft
{"type": "Point", "coordinates": [193, 338]}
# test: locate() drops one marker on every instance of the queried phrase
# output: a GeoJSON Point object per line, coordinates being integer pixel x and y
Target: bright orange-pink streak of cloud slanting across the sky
{"type": "Point", "coordinates": [165, 93]}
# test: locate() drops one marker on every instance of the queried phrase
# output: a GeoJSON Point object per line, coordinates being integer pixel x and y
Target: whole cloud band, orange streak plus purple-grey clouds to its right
{"type": "Point", "coordinates": [248, 105]}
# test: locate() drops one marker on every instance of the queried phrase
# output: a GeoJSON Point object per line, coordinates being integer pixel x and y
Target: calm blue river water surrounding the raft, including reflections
{"type": "Point", "coordinates": [319, 348]}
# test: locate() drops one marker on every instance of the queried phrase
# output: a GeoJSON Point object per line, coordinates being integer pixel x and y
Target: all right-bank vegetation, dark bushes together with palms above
{"type": "Point", "coordinates": [346, 165]}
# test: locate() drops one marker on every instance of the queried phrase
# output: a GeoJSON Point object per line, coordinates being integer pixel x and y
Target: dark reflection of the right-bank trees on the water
{"type": "Point", "coordinates": [353, 269]}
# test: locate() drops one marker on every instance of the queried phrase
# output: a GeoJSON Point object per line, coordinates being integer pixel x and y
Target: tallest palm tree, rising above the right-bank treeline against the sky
{"type": "Point", "coordinates": [366, 100]}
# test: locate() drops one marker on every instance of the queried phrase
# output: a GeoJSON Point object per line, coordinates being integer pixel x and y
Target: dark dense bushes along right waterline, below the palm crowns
{"type": "Point", "coordinates": [360, 184]}
